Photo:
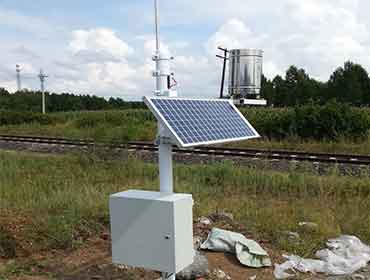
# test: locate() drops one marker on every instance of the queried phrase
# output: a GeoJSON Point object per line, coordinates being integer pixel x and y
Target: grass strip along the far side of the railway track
{"type": "Point", "coordinates": [130, 125]}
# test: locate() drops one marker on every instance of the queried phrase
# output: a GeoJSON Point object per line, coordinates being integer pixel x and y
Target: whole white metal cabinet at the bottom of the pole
{"type": "Point", "coordinates": [152, 230]}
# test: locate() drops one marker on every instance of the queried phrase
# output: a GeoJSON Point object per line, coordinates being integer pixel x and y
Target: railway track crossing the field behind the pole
{"type": "Point", "coordinates": [274, 155]}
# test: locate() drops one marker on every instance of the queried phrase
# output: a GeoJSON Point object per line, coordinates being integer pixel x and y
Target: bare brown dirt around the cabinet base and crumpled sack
{"type": "Point", "coordinates": [93, 260]}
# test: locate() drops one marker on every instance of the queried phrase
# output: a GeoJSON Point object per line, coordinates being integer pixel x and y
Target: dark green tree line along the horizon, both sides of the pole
{"type": "Point", "coordinates": [349, 84]}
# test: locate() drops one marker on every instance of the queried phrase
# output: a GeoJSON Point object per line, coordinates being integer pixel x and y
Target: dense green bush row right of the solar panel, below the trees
{"type": "Point", "coordinates": [331, 122]}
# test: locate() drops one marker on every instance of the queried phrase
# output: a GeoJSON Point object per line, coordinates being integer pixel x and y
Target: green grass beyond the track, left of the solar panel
{"type": "Point", "coordinates": [118, 126]}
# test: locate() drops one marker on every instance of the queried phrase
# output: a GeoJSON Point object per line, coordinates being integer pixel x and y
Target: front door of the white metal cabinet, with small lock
{"type": "Point", "coordinates": [142, 233]}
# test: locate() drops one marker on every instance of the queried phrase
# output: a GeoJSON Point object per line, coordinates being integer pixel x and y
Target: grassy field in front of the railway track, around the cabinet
{"type": "Point", "coordinates": [57, 202]}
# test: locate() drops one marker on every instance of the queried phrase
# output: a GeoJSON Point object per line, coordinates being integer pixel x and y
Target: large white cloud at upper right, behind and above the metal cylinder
{"type": "Point", "coordinates": [316, 35]}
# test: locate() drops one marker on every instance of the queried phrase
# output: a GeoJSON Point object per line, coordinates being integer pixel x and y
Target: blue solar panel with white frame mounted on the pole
{"type": "Point", "coordinates": [194, 122]}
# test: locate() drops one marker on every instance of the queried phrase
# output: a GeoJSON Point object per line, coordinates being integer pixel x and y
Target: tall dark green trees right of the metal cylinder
{"type": "Point", "coordinates": [349, 84]}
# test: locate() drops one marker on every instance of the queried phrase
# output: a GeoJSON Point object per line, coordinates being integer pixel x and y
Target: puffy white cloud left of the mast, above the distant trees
{"type": "Point", "coordinates": [98, 64]}
